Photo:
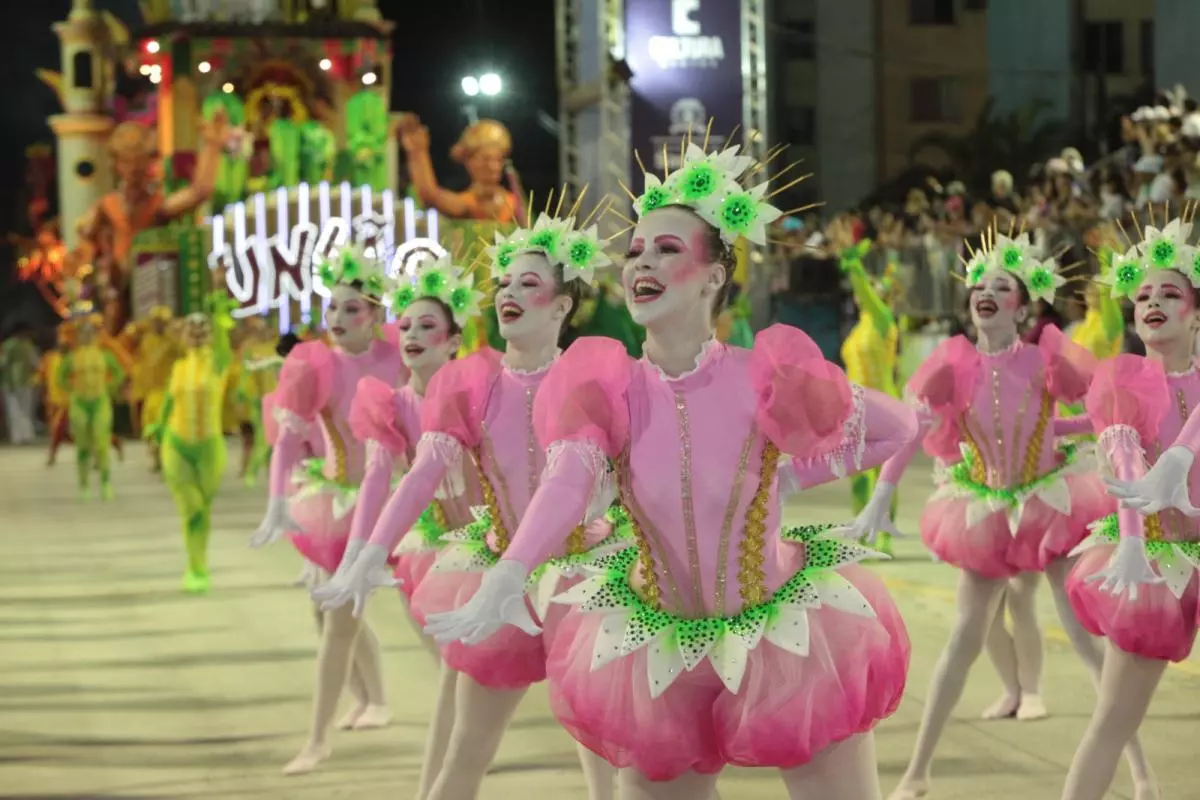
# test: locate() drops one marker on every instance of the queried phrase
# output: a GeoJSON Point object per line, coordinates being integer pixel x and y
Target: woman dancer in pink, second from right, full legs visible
{"type": "Point", "coordinates": [1013, 503]}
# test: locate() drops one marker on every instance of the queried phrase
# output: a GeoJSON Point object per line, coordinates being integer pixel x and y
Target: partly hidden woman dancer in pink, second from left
{"type": "Point", "coordinates": [434, 311]}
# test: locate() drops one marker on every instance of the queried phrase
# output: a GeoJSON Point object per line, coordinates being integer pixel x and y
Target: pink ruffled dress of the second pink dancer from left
{"type": "Point", "coordinates": [388, 420]}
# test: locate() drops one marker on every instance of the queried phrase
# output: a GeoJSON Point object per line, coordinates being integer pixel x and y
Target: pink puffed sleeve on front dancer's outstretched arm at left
{"type": "Point", "coordinates": [581, 417]}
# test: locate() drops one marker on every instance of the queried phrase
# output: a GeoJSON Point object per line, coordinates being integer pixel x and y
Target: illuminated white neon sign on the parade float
{"type": "Point", "coordinates": [269, 272]}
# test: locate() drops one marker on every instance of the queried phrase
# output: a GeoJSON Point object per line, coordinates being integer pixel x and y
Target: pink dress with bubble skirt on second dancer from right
{"type": "Point", "coordinates": [1013, 500]}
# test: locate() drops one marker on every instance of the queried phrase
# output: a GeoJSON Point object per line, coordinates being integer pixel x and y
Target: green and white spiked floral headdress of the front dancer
{"type": "Point", "coordinates": [711, 185]}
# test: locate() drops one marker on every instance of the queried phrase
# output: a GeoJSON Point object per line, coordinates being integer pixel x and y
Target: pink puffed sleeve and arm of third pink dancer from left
{"type": "Point", "coordinates": [452, 419]}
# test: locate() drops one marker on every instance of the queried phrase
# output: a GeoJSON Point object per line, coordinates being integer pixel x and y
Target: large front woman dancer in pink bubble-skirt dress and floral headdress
{"type": "Point", "coordinates": [719, 639]}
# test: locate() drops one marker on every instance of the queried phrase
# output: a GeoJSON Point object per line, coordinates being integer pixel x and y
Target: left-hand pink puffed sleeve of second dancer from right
{"type": "Point", "coordinates": [946, 384]}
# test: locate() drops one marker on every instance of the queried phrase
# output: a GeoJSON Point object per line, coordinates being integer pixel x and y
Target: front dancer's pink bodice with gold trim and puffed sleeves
{"type": "Point", "coordinates": [698, 459]}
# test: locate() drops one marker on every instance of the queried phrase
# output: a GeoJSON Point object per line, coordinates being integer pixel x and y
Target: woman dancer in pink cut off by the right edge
{"type": "Point", "coordinates": [1136, 581]}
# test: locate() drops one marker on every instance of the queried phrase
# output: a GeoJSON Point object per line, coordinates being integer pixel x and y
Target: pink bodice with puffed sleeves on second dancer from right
{"type": "Point", "coordinates": [1001, 407]}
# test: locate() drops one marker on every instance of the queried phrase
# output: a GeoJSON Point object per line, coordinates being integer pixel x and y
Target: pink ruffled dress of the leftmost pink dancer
{"type": "Point", "coordinates": [316, 390]}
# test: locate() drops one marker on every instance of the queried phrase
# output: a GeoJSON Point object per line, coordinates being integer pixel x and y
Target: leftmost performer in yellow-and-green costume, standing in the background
{"type": "Point", "coordinates": [93, 376]}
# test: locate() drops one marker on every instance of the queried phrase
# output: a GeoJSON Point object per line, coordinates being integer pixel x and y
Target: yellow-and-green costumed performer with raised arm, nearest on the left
{"type": "Point", "coordinates": [190, 432]}
